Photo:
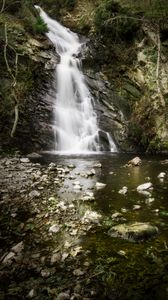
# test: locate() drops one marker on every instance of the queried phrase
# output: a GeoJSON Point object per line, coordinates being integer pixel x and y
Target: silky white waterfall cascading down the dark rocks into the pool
{"type": "Point", "coordinates": [76, 124]}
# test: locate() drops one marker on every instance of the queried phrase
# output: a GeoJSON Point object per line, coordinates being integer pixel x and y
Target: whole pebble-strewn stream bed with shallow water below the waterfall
{"type": "Point", "coordinates": [57, 219]}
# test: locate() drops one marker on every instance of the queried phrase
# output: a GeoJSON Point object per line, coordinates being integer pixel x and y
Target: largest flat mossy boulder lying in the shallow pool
{"type": "Point", "coordinates": [134, 232]}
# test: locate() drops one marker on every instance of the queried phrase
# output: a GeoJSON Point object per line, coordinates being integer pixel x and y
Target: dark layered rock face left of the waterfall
{"type": "Point", "coordinates": [35, 65]}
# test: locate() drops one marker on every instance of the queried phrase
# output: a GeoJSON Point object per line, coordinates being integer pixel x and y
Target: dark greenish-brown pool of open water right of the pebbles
{"type": "Point", "coordinates": [125, 270]}
